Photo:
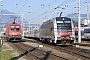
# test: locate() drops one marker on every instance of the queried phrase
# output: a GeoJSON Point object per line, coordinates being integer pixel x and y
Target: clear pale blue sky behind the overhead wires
{"type": "Point", "coordinates": [37, 10]}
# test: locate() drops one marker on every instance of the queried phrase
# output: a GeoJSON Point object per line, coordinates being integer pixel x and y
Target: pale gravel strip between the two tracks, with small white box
{"type": "Point", "coordinates": [54, 51]}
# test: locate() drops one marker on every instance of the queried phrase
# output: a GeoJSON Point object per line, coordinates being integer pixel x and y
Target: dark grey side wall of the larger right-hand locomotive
{"type": "Point", "coordinates": [47, 30]}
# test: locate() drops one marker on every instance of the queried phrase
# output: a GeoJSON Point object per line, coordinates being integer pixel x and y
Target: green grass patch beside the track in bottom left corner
{"type": "Point", "coordinates": [6, 53]}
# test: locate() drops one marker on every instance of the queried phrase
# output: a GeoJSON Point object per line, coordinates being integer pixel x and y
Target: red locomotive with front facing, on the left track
{"type": "Point", "coordinates": [13, 32]}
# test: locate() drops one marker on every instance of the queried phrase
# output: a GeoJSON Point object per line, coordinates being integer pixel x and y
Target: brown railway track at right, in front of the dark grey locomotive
{"type": "Point", "coordinates": [83, 54]}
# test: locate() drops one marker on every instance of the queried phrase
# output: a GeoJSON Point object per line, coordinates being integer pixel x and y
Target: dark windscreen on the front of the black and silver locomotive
{"type": "Point", "coordinates": [64, 24]}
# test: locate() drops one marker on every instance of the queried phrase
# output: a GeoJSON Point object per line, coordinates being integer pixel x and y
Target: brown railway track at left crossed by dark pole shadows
{"type": "Point", "coordinates": [34, 53]}
